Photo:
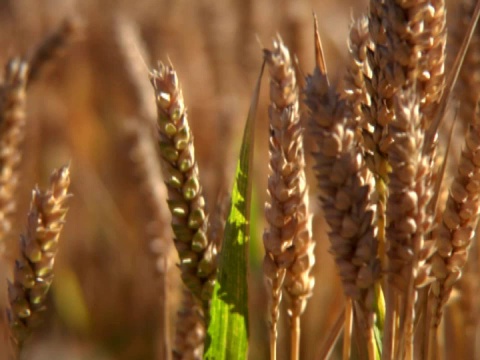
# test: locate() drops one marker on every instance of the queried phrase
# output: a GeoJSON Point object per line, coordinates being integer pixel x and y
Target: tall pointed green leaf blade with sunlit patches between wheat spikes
{"type": "Point", "coordinates": [227, 334]}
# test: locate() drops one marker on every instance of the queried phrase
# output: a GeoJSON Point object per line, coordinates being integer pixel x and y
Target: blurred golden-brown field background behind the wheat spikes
{"type": "Point", "coordinates": [104, 302]}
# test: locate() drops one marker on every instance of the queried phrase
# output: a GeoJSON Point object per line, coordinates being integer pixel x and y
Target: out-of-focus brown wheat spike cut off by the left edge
{"type": "Point", "coordinates": [12, 123]}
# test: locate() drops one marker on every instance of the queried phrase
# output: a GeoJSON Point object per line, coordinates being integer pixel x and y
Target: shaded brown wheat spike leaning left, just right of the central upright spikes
{"type": "Point", "coordinates": [347, 196]}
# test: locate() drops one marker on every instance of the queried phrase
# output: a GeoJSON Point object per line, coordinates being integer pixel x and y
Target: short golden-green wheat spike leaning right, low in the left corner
{"type": "Point", "coordinates": [33, 273]}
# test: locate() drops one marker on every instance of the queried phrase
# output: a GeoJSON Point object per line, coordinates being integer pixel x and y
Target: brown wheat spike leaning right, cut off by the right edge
{"type": "Point", "coordinates": [459, 221]}
